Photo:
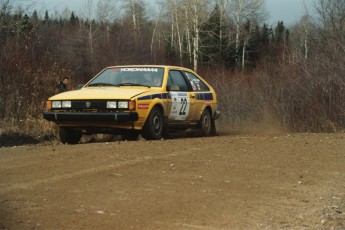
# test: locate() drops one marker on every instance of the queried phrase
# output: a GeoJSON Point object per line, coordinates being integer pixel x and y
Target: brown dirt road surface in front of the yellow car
{"type": "Point", "coordinates": [285, 181]}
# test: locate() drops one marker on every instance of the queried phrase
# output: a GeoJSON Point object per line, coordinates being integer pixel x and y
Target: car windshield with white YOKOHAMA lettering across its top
{"type": "Point", "coordinates": [129, 76]}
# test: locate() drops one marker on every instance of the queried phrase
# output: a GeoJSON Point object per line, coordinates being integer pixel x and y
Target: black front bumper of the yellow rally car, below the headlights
{"type": "Point", "coordinates": [90, 116]}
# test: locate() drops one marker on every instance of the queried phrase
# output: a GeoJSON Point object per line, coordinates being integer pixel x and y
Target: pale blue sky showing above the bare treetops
{"type": "Point", "coordinates": [288, 11]}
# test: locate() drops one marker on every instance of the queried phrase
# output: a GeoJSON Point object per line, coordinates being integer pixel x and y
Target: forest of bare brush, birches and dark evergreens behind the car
{"type": "Point", "coordinates": [288, 77]}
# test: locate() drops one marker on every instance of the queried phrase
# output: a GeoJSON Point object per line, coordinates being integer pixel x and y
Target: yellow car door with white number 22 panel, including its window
{"type": "Point", "coordinates": [182, 98]}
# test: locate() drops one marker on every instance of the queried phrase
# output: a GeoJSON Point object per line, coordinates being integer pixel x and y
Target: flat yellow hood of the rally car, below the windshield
{"type": "Point", "coordinates": [99, 93]}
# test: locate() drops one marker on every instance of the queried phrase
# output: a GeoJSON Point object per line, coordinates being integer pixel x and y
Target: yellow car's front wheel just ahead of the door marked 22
{"type": "Point", "coordinates": [153, 128]}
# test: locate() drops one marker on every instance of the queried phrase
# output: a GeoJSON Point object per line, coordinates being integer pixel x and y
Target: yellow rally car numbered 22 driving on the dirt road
{"type": "Point", "coordinates": [132, 100]}
